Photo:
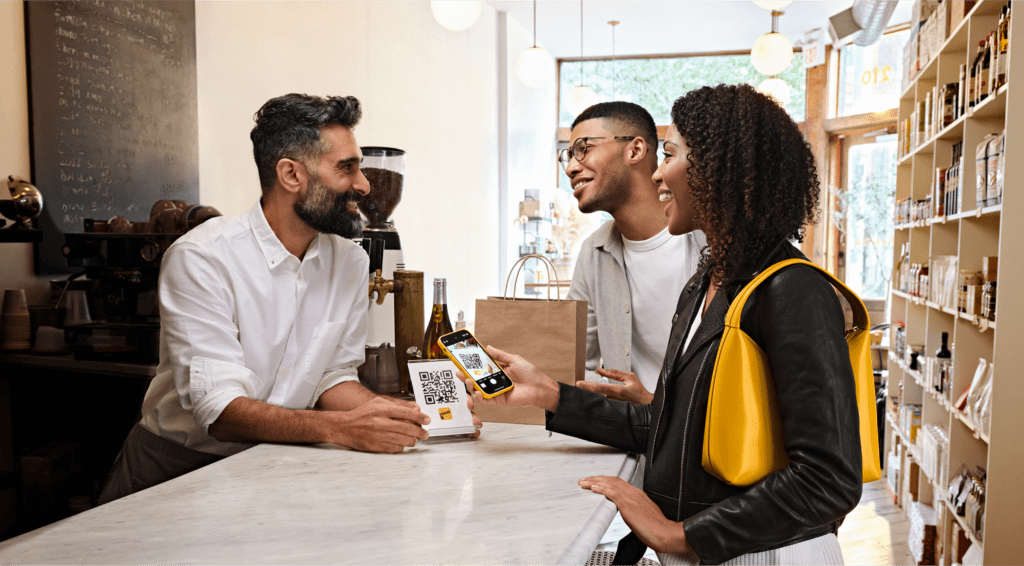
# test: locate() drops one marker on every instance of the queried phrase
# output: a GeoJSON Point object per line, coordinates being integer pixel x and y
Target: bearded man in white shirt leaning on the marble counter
{"type": "Point", "coordinates": [264, 316]}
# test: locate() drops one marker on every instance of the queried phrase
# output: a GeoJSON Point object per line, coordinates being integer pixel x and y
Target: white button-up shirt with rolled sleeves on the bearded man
{"type": "Point", "coordinates": [241, 317]}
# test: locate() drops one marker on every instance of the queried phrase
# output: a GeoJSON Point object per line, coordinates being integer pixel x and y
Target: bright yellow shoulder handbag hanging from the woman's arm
{"type": "Point", "coordinates": [744, 438]}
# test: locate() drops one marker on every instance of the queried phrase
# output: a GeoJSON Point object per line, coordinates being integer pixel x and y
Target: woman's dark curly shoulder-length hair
{"type": "Point", "coordinates": [752, 177]}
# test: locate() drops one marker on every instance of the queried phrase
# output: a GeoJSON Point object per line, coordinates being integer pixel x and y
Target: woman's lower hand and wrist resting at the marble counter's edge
{"type": "Point", "coordinates": [642, 514]}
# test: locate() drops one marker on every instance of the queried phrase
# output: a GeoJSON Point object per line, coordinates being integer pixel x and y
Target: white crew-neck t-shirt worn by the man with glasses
{"type": "Point", "coordinates": [655, 291]}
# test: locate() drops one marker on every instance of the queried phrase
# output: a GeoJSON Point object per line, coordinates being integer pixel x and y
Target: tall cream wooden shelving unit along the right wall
{"type": "Point", "coordinates": [971, 235]}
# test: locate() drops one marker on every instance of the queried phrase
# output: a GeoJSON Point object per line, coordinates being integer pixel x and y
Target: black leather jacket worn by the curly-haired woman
{"type": "Point", "coordinates": [797, 320]}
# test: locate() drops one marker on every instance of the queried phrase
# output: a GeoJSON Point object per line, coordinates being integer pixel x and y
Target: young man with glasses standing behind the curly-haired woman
{"type": "Point", "coordinates": [631, 271]}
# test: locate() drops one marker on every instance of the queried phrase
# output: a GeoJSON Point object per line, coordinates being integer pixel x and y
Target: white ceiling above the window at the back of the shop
{"type": "Point", "coordinates": [658, 27]}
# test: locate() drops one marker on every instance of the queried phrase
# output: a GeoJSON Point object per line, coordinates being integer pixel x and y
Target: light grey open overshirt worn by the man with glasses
{"type": "Point", "coordinates": [600, 279]}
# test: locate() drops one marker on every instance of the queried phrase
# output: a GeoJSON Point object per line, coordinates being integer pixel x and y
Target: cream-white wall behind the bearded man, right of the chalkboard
{"type": "Point", "coordinates": [424, 90]}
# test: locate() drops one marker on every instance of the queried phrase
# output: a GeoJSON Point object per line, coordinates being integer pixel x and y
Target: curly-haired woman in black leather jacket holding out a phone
{"type": "Point", "coordinates": [737, 167]}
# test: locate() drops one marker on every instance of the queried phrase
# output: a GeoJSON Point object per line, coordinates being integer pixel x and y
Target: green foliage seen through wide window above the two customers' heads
{"type": "Point", "coordinates": [656, 83]}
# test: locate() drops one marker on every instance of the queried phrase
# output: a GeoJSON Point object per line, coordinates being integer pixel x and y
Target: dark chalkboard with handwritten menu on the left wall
{"type": "Point", "coordinates": [113, 111]}
